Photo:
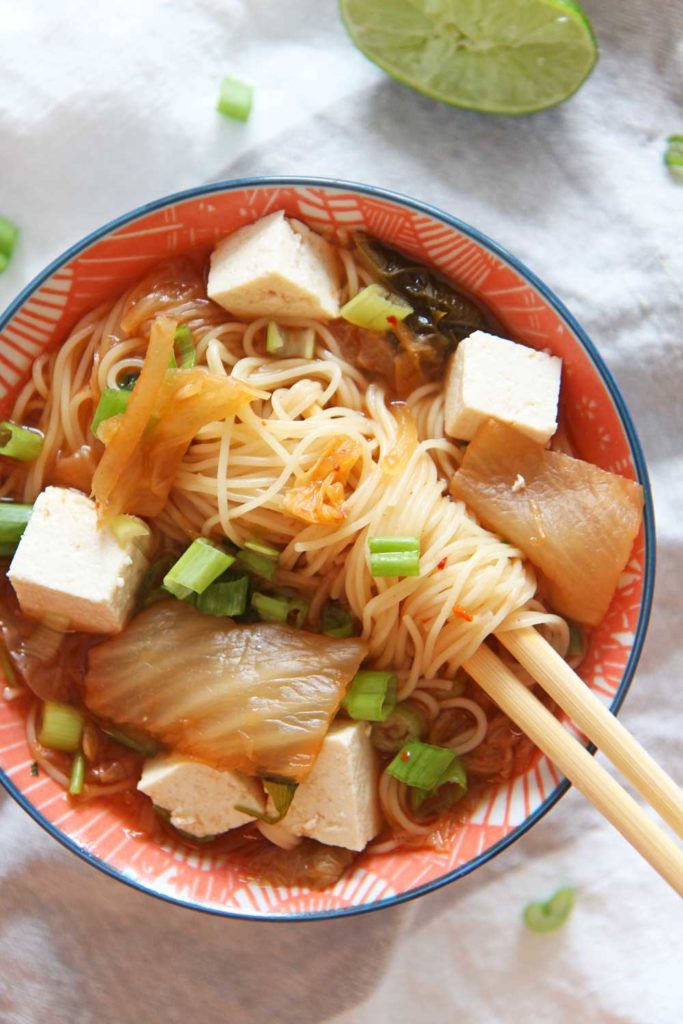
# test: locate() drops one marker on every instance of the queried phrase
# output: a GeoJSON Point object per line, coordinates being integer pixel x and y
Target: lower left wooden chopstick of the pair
{"type": "Point", "coordinates": [581, 769]}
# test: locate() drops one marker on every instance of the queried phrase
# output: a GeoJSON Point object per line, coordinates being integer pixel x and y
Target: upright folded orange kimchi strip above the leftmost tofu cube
{"type": "Point", "coordinates": [145, 447]}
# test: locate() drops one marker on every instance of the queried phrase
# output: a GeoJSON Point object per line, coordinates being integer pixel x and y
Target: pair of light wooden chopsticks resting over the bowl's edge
{"type": "Point", "coordinates": [601, 727]}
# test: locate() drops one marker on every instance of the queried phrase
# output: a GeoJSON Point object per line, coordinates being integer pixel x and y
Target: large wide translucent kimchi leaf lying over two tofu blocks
{"type": "Point", "coordinates": [257, 698]}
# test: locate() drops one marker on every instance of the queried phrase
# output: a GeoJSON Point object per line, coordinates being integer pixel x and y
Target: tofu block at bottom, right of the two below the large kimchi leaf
{"type": "Point", "coordinates": [338, 803]}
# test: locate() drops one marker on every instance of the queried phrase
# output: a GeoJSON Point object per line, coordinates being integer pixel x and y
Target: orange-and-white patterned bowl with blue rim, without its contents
{"type": "Point", "coordinates": [112, 259]}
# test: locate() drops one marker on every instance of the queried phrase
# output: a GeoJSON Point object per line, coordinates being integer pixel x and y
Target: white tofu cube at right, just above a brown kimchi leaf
{"type": "Point", "coordinates": [493, 378]}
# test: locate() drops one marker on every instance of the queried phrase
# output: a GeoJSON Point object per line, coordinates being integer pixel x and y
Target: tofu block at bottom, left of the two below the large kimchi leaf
{"type": "Point", "coordinates": [200, 799]}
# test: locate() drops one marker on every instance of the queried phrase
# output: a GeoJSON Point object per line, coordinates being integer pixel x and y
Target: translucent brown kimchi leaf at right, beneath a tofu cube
{"type": "Point", "coordinates": [575, 522]}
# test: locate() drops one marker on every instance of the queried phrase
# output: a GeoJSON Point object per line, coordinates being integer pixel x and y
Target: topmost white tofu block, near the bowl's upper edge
{"type": "Point", "coordinates": [270, 270]}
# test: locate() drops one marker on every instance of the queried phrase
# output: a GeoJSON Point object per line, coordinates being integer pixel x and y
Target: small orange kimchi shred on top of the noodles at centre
{"type": "Point", "coordinates": [319, 495]}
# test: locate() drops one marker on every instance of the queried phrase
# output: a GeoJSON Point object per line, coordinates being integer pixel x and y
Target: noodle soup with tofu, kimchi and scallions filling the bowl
{"type": "Point", "coordinates": [270, 464]}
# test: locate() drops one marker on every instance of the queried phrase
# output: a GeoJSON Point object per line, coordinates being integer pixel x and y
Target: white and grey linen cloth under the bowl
{"type": "Point", "coordinates": [107, 106]}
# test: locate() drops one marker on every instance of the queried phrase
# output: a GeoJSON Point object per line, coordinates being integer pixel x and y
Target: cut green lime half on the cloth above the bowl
{"type": "Point", "coordinates": [498, 57]}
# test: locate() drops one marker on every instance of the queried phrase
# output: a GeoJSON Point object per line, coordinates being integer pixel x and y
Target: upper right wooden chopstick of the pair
{"type": "Point", "coordinates": [562, 682]}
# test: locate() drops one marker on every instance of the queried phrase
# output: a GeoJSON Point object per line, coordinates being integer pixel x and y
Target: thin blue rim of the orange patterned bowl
{"type": "Point", "coordinates": [636, 451]}
